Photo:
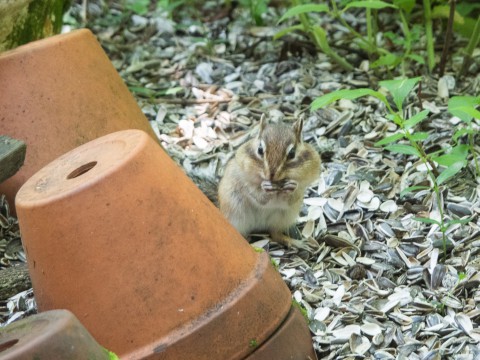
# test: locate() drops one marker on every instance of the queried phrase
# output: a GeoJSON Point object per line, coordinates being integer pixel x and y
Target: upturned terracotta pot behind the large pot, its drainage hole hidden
{"type": "Point", "coordinates": [58, 93]}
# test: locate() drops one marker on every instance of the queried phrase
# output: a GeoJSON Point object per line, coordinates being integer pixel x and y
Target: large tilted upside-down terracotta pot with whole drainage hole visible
{"type": "Point", "coordinates": [116, 233]}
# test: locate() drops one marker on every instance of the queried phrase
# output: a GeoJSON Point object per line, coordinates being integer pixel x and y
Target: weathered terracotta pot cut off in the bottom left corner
{"type": "Point", "coordinates": [53, 335]}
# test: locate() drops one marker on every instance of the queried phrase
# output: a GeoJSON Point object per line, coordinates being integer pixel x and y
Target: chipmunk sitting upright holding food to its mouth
{"type": "Point", "coordinates": [264, 184]}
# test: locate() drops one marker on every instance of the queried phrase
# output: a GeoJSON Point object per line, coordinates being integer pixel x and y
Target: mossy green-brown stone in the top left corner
{"type": "Point", "coordinates": [22, 21]}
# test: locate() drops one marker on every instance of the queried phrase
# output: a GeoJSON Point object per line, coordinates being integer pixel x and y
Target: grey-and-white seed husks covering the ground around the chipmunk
{"type": "Point", "coordinates": [373, 281]}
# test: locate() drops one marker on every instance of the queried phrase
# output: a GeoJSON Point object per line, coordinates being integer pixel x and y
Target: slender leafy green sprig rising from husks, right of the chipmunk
{"type": "Point", "coordinates": [407, 141]}
